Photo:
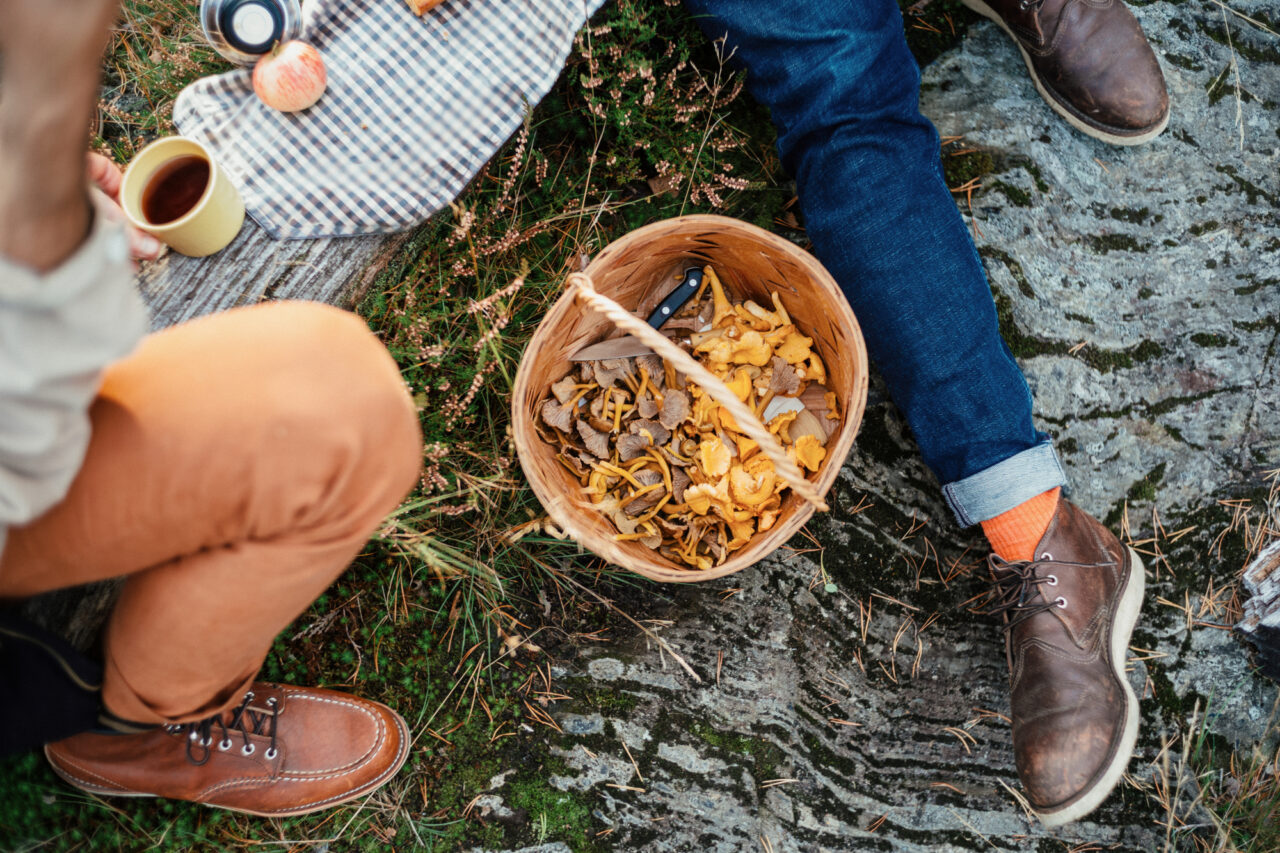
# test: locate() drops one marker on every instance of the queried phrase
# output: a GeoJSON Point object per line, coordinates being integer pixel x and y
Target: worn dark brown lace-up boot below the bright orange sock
{"type": "Point", "coordinates": [1069, 614]}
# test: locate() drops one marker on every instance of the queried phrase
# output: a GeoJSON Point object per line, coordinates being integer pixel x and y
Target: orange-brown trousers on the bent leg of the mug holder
{"type": "Point", "coordinates": [237, 464]}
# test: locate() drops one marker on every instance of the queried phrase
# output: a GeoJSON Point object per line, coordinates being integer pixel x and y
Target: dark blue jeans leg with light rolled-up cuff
{"type": "Point", "coordinates": [844, 93]}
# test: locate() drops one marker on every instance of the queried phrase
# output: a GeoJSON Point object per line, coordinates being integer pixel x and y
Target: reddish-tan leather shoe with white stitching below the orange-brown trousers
{"type": "Point", "coordinates": [284, 751]}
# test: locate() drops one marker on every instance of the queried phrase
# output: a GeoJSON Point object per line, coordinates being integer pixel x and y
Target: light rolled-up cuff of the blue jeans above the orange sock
{"type": "Point", "coordinates": [1005, 485]}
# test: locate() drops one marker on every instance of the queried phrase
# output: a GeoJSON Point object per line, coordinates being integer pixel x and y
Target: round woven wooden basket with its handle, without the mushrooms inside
{"type": "Point", "coordinates": [752, 263]}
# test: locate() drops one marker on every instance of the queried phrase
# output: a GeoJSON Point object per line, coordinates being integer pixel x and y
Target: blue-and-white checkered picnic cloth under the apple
{"type": "Point", "coordinates": [414, 111]}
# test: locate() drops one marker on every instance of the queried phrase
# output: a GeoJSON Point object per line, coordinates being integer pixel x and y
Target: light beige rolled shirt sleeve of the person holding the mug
{"type": "Point", "coordinates": [58, 331]}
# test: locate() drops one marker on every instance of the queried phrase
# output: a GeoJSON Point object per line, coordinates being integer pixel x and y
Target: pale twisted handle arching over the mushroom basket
{"type": "Point", "coordinates": [584, 289]}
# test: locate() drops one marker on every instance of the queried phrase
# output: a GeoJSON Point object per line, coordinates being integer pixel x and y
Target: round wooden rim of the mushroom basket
{"type": "Point", "coordinates": [525, 435]}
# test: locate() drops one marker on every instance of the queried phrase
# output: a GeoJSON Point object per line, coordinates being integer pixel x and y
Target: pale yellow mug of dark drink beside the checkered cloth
{"type": "Point", "coordinates": [161, 194]}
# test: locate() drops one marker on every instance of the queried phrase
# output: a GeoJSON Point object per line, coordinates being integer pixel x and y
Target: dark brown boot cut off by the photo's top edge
{"type": "Point", "coordinates": [1090, 62]}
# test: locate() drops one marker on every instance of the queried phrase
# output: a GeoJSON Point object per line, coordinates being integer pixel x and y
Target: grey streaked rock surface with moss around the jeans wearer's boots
{"type": "Point", "coordinates": [872, 718]}
